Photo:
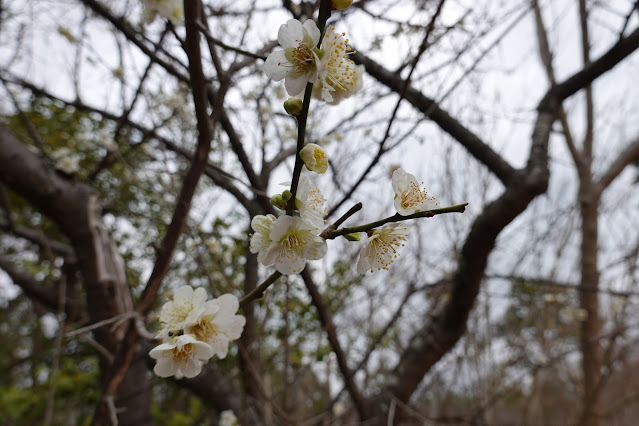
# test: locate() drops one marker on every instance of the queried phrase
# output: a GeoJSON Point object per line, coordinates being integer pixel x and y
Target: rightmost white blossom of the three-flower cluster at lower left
{"type": "Point", "coordinates": [217, 325]}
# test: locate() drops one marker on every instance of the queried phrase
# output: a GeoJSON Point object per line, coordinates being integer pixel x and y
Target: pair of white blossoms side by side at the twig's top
{"type": "Point", "coordinates": [301, 61]}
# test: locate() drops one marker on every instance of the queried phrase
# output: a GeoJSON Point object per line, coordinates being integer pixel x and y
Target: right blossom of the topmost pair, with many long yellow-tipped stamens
{"type": "Point", "coordinates": [339, 77]}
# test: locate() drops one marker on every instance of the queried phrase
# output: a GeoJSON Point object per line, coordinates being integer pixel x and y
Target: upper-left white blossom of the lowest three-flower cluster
{"type": "Point", "coordinates": [183, 310]}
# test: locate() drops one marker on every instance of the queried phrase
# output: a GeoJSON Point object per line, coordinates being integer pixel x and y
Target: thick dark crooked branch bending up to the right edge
{"type": "Point", "coordinates": [443, 330]}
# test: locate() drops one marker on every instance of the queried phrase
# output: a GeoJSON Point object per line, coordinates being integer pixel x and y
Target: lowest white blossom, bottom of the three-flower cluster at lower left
{"type": "Point", "coordinates": [183, 356]}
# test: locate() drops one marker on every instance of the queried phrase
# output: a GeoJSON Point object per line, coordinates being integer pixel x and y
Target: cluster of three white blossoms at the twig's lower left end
{"type": "Point", "coordinates": [195, 329]}
